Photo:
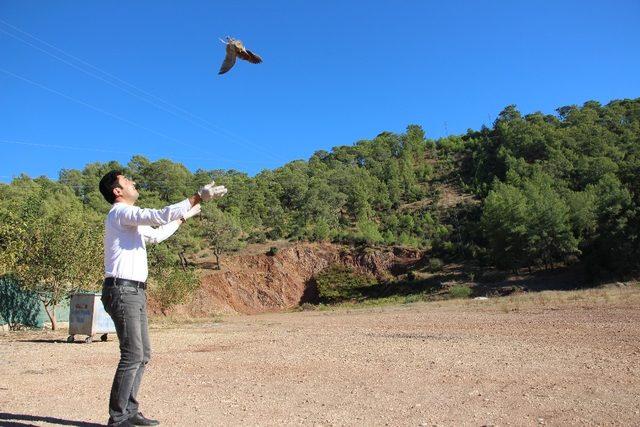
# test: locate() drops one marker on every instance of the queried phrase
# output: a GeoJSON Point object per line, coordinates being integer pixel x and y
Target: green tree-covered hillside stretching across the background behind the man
{"type": "Point", "coordinates": [531, 191]}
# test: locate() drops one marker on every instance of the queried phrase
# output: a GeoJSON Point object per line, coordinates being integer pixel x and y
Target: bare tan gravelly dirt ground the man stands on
{"type": "Point", "coordinates": [566, 358]}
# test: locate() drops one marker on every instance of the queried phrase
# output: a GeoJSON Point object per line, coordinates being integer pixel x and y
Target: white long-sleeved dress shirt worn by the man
{"type": "Point", "coordinates": [127, 230]}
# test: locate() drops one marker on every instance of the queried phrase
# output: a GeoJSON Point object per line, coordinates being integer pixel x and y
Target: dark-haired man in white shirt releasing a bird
{"type": "Point", "coordinates": [127, 230]}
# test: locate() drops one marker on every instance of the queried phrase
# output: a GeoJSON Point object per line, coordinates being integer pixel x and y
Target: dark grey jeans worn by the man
{"type": "Point", "coordinates": [127, 306]}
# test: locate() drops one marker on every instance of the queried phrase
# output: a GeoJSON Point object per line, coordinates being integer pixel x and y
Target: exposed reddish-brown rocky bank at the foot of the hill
{"type": "Point", "coordinates": [258, 283]}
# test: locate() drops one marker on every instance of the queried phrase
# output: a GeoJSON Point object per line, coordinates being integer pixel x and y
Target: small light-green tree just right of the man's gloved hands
{"type": "Point", "coordinates": [221, 232]}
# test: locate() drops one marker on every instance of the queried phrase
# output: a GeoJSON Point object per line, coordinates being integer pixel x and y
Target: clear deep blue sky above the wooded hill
{"type": "Point", "coordinates": [94, 81]}
